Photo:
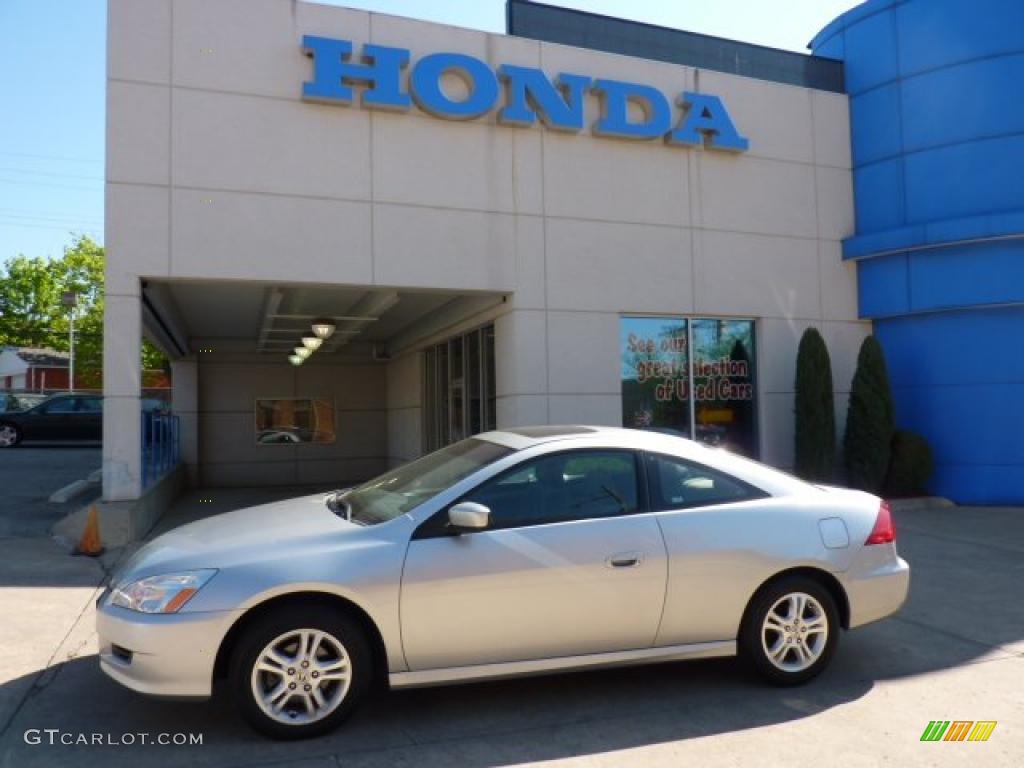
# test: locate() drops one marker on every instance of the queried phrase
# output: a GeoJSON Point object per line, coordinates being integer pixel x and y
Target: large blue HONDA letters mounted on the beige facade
{"type": "Point", "coordinates": [527, 95]}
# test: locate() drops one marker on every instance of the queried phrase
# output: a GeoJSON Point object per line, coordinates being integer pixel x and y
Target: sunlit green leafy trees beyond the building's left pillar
{"type": "Point", "coordinates": [32, 314]}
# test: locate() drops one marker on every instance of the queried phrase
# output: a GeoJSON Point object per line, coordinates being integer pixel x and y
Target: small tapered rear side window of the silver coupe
{"type": "Point", "coordinates": [677, 484]}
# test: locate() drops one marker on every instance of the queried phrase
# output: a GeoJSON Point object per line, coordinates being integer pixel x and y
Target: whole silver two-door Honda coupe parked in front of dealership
{"type": "Point", "coordinates": [516, 552]}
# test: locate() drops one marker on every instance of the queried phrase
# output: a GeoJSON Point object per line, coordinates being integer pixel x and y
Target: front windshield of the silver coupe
{"type": "Point", "coordinates": [408, 487]}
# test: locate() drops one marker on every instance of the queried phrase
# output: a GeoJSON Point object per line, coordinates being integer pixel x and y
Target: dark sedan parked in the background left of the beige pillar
{"type": "Point", "coordinates": [62, 417]}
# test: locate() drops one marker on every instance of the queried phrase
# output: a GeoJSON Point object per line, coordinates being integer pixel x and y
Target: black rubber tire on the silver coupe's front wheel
{"type": "Point", "coordinates": [339, 628]}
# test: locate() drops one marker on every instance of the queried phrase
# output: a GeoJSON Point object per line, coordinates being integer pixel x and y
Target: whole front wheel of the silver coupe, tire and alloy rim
{"type": "Point", "coordinates": [300, 672]}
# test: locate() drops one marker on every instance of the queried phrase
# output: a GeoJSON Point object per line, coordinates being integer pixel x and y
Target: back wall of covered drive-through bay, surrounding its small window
{"type": "Point", "coordinates": [229, 454]}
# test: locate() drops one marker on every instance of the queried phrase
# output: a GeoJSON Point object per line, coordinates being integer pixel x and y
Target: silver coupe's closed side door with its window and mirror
{"type": "Point", "coordinates": [569, 566]}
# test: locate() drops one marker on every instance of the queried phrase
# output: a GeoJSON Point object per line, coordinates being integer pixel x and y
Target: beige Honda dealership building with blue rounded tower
{"type": "Point", "coordinates": [361, 237]}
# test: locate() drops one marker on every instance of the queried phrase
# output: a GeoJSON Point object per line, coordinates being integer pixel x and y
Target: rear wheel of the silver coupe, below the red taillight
{"type": "Point", "coordinates": [792, 654]}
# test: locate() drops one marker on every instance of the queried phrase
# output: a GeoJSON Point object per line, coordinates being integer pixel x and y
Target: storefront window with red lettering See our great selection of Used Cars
{"type": "Point", "coordinates": [694, 377]}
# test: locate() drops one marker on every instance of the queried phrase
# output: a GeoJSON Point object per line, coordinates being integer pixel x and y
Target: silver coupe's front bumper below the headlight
{"type": "Point", "coordinates": [166, 655]}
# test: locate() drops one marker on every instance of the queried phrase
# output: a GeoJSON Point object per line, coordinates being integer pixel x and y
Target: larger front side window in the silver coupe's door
{"type": "Point", "coordinates": [559, 488]}
